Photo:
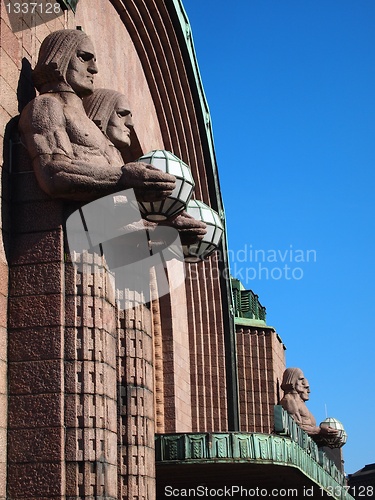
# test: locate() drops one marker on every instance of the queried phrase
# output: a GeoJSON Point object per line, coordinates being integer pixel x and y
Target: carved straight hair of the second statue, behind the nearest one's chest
{"type": "Point", "coordinates": [100, 105]}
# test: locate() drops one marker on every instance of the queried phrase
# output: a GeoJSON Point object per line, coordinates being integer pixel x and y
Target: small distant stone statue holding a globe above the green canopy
{"type": "Point", "coordinates": [296, 392]}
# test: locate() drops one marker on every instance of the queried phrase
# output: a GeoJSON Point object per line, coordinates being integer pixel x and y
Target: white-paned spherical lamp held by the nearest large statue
{"type": "Point", "coordinates": [157, 211]}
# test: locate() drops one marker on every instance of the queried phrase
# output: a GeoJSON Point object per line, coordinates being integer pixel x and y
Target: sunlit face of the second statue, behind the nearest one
{"type": "Point", "coordinates": [120, 124]}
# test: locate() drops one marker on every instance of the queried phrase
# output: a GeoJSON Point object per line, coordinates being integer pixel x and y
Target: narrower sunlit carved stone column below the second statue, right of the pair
{"type": "Point", "coordinates": [136, 436]}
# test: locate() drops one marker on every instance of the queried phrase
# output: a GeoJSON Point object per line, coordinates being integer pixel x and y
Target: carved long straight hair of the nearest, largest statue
{"type": "Point", "coordinates": [54, 55]}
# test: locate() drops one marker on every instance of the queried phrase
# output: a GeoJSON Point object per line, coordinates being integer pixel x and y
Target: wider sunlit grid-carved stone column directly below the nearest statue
{"type": "Point", "coordinates": [90, 381]}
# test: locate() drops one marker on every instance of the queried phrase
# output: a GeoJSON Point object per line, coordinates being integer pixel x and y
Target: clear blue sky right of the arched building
{"type": "Point", "coordinates": [291, 89]}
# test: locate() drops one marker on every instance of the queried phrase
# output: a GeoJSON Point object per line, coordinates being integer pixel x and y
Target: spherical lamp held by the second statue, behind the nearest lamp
{"type": "Point", "coordinates": [211, 240]}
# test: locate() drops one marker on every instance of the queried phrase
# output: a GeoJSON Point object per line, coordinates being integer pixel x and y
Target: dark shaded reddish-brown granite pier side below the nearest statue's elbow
{"type": "Point", "coordinates": [36, 433]}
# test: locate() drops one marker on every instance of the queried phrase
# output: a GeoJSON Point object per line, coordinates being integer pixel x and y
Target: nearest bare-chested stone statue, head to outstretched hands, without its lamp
{"type": "Point", "coordinates": [71, 158]}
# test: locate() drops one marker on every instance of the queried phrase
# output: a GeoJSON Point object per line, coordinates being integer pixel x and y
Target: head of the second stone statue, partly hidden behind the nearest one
{"type": "Point", "coordinates": [110, 111]}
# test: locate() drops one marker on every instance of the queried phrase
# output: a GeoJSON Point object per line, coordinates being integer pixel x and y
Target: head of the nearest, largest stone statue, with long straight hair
{"type": "Point", "coordinates": [66, 62]}
